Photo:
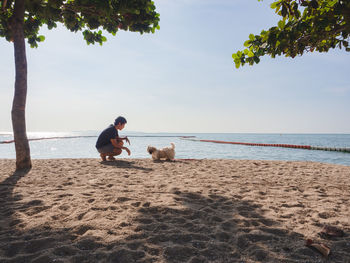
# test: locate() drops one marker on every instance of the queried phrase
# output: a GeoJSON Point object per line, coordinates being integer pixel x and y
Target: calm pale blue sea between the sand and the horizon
{"type": "Point", "coordinates": [84, 147]}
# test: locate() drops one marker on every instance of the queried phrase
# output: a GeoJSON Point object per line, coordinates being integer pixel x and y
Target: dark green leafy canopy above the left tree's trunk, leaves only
{"type": "Point", "coordinates": [89, 16]}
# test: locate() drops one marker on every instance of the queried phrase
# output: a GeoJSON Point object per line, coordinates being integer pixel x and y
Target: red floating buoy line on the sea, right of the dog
{"type": "Point", "coordinates": [306, 147]}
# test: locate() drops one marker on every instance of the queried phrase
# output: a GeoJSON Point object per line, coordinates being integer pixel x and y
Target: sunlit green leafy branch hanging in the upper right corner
{"type": "Point", "coordinates": [306, 26]}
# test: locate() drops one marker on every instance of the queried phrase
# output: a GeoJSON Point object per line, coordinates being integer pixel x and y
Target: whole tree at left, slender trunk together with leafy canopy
{"type": "Point", "coordinates": [22, 19]}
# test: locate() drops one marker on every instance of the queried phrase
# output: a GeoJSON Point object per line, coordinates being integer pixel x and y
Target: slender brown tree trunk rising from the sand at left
{"type": "Point", "coordinates": [23, 160]}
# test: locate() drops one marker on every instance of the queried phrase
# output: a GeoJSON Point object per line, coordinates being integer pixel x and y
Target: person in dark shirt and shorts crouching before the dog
{"type": "Point", "coordinates": [109, 143]}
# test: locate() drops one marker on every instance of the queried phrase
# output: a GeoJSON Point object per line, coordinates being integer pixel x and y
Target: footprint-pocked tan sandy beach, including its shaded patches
{"type": "Point", "coordinates": [137, 210]}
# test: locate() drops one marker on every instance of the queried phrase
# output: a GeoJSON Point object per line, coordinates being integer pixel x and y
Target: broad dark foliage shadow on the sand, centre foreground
{"type": "Point", "coordinates": [215, 229]}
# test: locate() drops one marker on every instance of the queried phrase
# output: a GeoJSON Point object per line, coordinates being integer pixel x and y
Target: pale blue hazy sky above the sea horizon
{"type": "Point", "coordinates": [180, 79]}
